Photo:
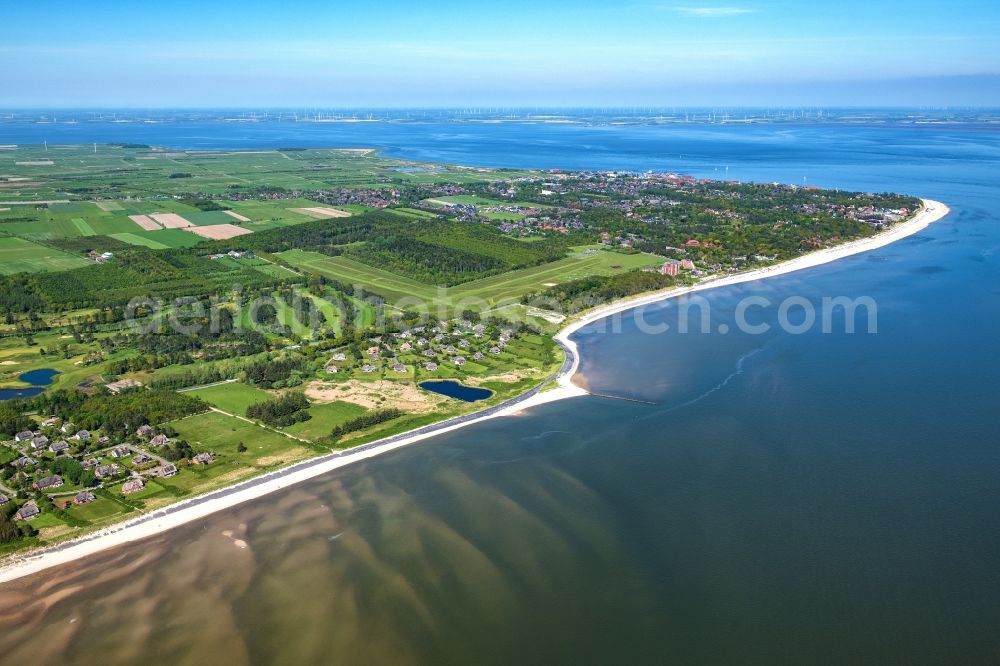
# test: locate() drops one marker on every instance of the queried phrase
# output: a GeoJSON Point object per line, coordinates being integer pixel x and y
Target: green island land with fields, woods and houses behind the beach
{"type": "Point", "coordinates": [199, 318]}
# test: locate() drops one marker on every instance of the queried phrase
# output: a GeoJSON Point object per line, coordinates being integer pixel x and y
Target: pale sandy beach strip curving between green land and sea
{"type": "Point", "coordinates": [185, 511]}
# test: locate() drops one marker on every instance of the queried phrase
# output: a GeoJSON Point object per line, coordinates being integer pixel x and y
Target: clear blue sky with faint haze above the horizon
{"type": "Point", "coordinates": [442, 53]}
